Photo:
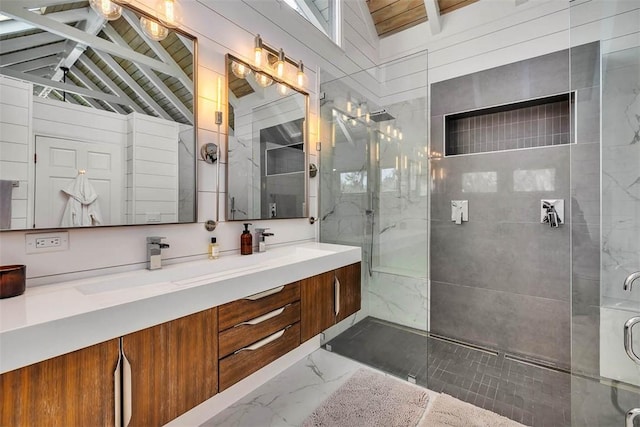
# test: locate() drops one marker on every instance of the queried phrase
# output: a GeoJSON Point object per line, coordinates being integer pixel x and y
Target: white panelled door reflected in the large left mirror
{"type": "Point", "coordinates": [59, 162]}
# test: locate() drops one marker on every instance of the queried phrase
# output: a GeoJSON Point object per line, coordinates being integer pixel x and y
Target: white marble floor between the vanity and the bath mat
{"type": "Point", "coordinates": [290, 397]}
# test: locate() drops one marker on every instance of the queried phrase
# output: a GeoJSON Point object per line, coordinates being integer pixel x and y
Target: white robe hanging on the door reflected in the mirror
{"type": "Point", "coordinates": [82, 208]}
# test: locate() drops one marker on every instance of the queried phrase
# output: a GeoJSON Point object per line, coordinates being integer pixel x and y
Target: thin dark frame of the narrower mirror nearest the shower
{"type": "Point", "coordinates": [305, 135]}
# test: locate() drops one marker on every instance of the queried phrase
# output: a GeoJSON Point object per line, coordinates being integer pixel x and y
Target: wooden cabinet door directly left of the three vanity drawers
{"type": "Point", "coordinates": [174, 367]}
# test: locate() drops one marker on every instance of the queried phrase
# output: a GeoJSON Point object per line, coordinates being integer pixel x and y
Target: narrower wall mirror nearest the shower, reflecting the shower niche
{"type": "Point", "coordinates": [267, 162]}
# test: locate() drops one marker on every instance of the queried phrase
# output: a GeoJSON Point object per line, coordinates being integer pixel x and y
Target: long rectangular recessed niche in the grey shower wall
{"type": "Point", "coordinates": [532, 123]}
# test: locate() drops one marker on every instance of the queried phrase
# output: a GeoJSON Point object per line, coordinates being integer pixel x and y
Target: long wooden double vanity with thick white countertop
{"type": "Point", "coordinates": [142, 348]}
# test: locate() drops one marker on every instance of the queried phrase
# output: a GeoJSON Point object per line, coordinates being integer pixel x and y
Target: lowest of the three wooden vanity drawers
{"type": "Point", "coordinates": [244, 362]}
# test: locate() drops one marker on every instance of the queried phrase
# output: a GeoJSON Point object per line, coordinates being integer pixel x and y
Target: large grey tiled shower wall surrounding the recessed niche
{"type": "Point", "coordinates": [503, 279]}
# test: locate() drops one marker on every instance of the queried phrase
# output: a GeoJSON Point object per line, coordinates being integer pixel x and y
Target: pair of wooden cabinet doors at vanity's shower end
{"type": "Point", "coordinates": [328, 298]}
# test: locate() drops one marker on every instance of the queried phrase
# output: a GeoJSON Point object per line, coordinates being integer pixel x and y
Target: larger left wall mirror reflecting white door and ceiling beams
{"type": "Point", "coordinates": [98, 117]}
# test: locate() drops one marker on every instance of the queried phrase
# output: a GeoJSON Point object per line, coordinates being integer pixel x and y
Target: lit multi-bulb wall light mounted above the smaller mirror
{"type": "Point", "coordinates": [266, 57]}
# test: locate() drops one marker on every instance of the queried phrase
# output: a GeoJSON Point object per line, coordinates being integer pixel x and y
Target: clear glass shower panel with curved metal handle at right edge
{"type": "Point", "coordinates": [606, 212]}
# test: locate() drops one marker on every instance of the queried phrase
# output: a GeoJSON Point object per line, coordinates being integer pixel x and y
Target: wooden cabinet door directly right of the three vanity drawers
{"type": "Point", "coordinates": [317, 309]}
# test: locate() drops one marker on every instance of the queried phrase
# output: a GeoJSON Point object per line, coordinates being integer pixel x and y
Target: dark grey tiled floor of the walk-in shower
{"type": "Point", "coordinates": [529, 394]}
